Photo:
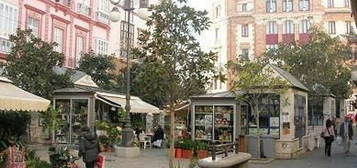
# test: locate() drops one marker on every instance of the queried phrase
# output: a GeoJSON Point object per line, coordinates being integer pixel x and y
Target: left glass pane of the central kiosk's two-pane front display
{"type": "Point", "coordinates": [203, 122]}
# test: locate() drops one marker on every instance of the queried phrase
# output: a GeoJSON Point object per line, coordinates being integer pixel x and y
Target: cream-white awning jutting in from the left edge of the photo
{"type": "Point", "coordinates": [14, 98]}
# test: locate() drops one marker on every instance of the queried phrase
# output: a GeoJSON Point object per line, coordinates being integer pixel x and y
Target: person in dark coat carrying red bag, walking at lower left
{"type": "Point", "coordinates": [88, 147]}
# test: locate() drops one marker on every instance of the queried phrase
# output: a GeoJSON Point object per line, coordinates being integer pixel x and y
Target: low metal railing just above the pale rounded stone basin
{"type": "Point", "coordinates": [224, 148]}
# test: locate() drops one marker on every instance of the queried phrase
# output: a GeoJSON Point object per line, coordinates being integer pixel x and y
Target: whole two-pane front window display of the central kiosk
{"type": "Point", "coordinates": [214, 122]}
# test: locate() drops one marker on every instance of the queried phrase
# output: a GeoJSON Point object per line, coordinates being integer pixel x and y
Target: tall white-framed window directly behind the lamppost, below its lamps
{"type": "Point", "coordinates": [124, 37]}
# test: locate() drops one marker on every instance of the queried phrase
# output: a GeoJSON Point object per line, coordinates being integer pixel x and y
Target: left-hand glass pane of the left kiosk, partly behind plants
{"type": "Point", "coordinates": [63, 107]}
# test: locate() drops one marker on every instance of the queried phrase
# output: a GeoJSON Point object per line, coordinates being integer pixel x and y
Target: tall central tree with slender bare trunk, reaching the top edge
{"type": "Point", "coordinates": [173, 65]}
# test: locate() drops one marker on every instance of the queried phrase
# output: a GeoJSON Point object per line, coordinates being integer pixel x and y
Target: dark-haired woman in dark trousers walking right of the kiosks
{"type": "Point", "coordinates": [329, 135]}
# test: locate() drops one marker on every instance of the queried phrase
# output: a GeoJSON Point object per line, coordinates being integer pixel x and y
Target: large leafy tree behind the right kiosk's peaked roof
{"type": "Point", "coordinates": [317, 63]}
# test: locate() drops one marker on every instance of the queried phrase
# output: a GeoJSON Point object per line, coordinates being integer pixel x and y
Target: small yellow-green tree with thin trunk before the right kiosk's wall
{"type": "Point", "coordinates": [254, 82]}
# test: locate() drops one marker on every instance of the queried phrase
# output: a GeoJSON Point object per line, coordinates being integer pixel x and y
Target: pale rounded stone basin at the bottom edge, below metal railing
{"type": "Point", "coordinates": [239, 160]}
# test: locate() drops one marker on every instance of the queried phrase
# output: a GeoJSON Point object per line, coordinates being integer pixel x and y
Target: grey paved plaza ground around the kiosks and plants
{"type": "Point", "coordinates": [158, 158]}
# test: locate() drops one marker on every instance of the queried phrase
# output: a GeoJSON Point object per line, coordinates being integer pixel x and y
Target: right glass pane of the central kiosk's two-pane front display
{"type": "Point", "coordinates": [223, 120]}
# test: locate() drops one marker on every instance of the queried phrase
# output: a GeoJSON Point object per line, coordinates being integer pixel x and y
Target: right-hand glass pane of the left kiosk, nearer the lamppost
{"type": "Point", "coordinates": [79, 117]}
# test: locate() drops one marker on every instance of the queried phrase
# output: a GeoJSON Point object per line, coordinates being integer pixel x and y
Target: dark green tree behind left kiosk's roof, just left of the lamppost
{"type": "Point", "coordinates": [99, 67]}
